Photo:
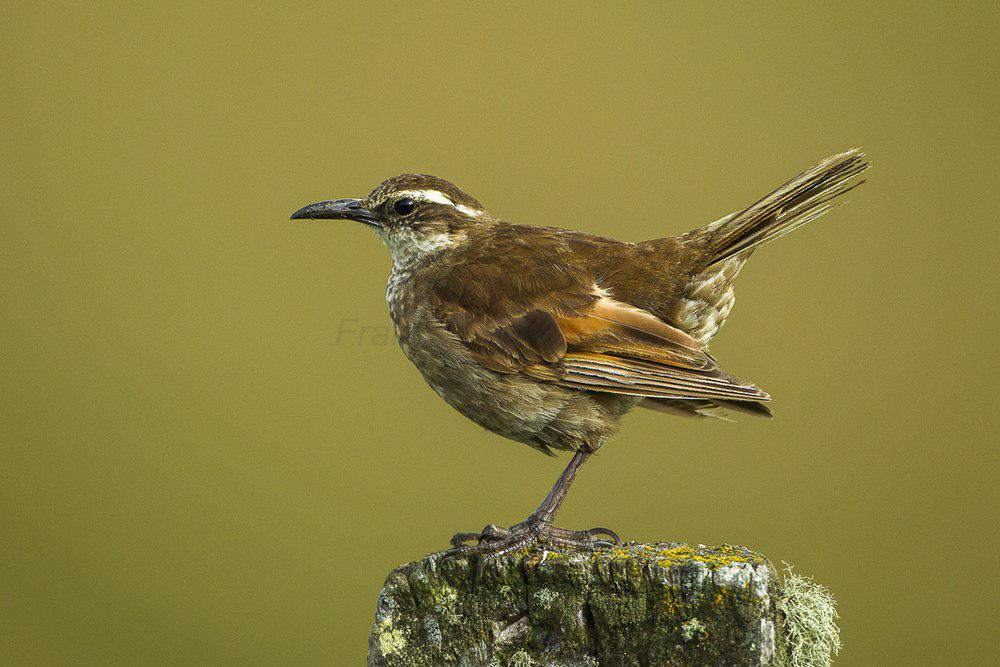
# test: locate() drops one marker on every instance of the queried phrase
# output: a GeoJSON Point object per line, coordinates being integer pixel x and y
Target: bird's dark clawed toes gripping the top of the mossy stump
{"type": "Point", "coordinates": [493, 541]}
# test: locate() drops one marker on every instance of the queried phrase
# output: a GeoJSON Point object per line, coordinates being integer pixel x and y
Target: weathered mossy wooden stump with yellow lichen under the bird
{"type": "Point", "coordinates": [639, 604]}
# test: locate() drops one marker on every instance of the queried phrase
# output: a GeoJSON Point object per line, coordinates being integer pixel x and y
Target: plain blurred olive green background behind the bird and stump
{"type": "Point", "coordinates": [211, 452]}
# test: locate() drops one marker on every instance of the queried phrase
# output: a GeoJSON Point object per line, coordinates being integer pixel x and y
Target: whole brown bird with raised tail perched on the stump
{"type": "Point", "coordinates": [548, 336]}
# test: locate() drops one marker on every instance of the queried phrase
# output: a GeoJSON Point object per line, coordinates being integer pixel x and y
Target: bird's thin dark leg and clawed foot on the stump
{"type": "Point", "coordinates": [538, 527]}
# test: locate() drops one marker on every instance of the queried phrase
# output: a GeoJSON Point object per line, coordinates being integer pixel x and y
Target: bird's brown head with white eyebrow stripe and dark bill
{"type": "Point", "coordinates": [415, 214]}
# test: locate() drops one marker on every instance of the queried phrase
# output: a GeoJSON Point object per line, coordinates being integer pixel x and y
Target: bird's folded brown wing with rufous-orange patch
{"type": "Point", "coordinates": [547, 318]}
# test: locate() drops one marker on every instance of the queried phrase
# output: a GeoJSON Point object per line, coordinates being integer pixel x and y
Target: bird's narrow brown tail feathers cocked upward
{"type": "Point", "coordinates": [797, 202]}
